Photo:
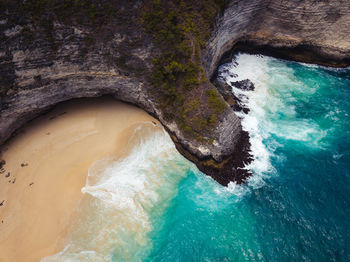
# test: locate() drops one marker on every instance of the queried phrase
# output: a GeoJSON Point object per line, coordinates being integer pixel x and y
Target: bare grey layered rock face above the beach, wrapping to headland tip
{"type": "Point", "coordinates": [38, 72]}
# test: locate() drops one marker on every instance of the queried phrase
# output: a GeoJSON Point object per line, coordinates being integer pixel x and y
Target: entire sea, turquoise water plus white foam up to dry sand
{"type": "Point", "coordinates": [154, 205]}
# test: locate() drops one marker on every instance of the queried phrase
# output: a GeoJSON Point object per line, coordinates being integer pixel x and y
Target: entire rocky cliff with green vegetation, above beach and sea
{"type": "Point", "coordinates": [52, 52]}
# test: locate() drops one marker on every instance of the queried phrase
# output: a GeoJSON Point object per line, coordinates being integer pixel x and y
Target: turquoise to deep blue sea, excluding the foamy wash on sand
{"type": "Point", "coordinates": [299, 209]}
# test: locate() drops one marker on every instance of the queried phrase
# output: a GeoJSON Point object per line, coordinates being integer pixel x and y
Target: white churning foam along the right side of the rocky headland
{"type": "Point", "coordinates": [270, 115]}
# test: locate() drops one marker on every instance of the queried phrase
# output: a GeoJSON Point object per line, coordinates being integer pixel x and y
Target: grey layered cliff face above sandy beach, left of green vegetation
{"type": "Point", "coordinates": [37, 75]}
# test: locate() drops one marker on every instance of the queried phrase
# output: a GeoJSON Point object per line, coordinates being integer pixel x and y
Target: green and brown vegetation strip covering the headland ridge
{"type": "Point", "coordinates": [181, 29]}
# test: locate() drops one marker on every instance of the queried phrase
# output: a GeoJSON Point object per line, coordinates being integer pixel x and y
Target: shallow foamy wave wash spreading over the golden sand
{"type": "Point", "coordinates": [124, 198]}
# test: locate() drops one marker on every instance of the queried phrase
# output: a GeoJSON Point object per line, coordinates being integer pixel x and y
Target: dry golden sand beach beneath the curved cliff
{"type": "Point", "coordinates": [46, 167]}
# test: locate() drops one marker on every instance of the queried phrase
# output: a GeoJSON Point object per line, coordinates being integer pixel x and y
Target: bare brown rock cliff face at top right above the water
{"type": "Point", "coordinates": [304, 30]}
